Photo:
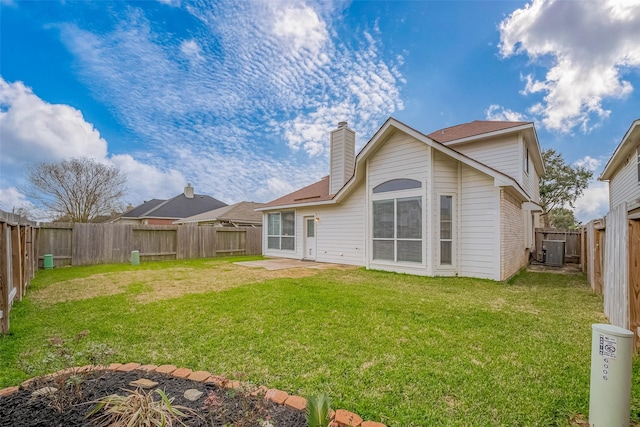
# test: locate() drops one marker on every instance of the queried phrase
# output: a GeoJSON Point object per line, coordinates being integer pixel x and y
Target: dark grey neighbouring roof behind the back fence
{"type": "Point", "coordinates": [177, 207]}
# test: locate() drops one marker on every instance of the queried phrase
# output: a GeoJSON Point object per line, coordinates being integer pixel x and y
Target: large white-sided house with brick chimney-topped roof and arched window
{"type": "Point", "coordinates": [461, 201]}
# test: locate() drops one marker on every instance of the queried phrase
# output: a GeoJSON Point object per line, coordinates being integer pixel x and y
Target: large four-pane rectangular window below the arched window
{"type": "Point", "coordinates": [397, 229]}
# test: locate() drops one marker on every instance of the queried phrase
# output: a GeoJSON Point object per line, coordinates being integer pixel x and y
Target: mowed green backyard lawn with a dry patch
{"type": "Point", "coordinates": [403, 350]}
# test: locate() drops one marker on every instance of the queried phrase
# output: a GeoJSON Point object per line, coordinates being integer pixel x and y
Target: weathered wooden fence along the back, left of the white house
{"type": "Point", "coordinates": [88, 244]}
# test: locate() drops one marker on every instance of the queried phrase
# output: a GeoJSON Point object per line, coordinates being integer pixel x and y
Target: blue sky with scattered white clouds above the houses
{"type": "Point", "coordinates": [238, 97]}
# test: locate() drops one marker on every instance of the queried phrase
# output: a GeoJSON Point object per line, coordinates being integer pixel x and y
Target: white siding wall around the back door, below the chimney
{"type": "Point", "coordinates": [340, 230]}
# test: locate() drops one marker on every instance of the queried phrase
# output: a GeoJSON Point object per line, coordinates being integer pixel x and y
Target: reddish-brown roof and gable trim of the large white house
{"type": "Point", "coordinates": [318, 193]}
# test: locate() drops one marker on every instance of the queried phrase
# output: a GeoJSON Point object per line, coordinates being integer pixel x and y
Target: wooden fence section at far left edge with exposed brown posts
{"type": "Point", "coordinates": [18, 257]}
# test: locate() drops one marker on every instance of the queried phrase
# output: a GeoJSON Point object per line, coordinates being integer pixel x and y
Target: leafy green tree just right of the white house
{"type": "Point", "coordinates": [562, 184]}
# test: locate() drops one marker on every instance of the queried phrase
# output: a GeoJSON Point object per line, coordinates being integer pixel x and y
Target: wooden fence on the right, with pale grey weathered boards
{"type": "Point", "coordinates": [613, 266]}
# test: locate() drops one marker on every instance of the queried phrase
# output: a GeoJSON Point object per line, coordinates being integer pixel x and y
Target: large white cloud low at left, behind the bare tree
{"type": "Point", "coordinates": [33, 131]}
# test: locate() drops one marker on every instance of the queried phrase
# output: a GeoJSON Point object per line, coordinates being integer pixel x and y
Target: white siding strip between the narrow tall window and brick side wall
{"type": "Point", "coordinates": [480, 226]}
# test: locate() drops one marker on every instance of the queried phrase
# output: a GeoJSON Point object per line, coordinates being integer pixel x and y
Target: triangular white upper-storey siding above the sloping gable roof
{"type": "Point", "coordinates": [503, 154]}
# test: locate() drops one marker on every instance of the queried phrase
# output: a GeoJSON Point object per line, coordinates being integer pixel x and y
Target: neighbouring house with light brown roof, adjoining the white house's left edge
{"type": "Point", "coordinates": [241, 214]}
